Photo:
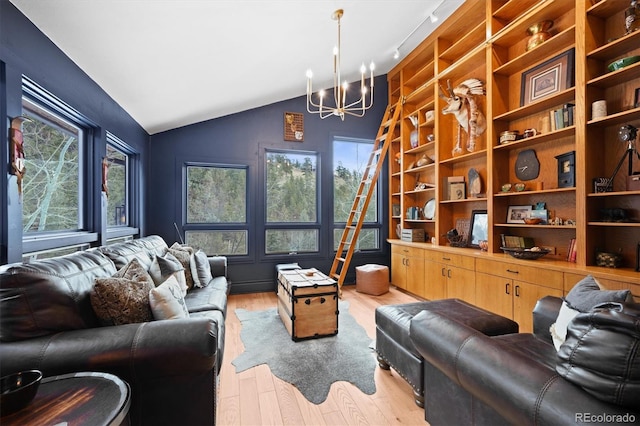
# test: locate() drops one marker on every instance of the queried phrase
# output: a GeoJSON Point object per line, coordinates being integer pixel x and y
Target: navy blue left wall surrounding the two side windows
{"type": "Point", "coordinates": [25, 50]}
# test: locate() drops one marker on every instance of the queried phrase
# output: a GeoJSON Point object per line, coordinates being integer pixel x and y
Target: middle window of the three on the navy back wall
{"type": "Point", "coordinates": [291, 202]}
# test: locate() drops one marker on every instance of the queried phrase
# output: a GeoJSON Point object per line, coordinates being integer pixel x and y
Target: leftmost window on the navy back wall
{"type": "Point", "coordinates": [216, 209]}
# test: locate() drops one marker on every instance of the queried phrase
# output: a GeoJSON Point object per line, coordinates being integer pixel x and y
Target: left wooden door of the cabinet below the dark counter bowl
{"type": "Point", "coordinates": [494, 294]}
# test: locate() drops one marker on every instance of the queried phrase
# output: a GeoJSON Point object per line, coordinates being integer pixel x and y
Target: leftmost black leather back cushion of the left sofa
{"type": "Point", "coordinates": [50, 295]}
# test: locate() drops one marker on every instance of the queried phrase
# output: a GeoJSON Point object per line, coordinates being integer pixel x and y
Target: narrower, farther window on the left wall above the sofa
{"type": "Point", "coordinates": [118, 184]}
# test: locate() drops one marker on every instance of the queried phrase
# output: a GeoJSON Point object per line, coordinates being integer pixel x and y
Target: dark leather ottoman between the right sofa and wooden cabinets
{"type": "Point", "coordinates": [393, 343]}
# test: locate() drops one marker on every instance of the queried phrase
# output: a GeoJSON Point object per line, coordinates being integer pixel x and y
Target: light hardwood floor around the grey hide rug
{"type": "Point", "coordinates": [257, 397]}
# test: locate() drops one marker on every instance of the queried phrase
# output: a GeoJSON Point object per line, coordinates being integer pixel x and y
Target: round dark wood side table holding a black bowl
{"type": "Point", "coordinates": [76, 399]}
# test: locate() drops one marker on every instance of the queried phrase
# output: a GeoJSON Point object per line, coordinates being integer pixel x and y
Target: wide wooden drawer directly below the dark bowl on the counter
{"type": "Point", "coordinates": [531, 274]}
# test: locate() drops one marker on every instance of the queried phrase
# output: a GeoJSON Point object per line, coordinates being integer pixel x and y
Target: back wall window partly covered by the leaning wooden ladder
{"type": "Point", "coordinates": [350, 158]}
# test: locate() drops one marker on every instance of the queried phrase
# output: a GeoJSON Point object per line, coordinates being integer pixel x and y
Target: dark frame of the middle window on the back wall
{"type": "Point", "coordinates": [293, 226]}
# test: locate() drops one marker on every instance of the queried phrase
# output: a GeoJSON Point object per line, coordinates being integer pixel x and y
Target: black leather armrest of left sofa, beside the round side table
{"type": "Point", "coordinates": [134, 352]}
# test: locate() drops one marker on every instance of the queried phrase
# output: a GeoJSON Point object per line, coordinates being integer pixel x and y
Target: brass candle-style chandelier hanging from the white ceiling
{"type": "Point", "coordinates": [340, 106]}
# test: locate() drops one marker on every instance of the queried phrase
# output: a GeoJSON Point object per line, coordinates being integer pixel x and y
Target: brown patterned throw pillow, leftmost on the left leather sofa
{"type": "Point", "coordinates": [123, 298]}
